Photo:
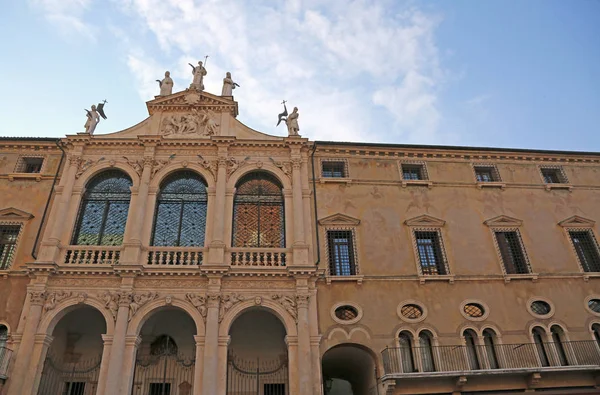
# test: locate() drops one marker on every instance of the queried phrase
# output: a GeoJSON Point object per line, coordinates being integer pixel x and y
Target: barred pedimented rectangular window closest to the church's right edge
{"type": "Point", "coordinates": [341, 253]}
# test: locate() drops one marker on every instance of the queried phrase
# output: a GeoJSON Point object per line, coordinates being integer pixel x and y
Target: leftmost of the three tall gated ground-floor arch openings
{"type": "Point", "coordinates": [72, 364]}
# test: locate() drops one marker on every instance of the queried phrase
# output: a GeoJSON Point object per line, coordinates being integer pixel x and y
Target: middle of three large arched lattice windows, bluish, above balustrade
{"type": "Point", "coordinates": [180, 218]}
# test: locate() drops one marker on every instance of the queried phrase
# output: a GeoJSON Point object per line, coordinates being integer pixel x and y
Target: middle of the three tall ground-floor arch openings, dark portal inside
{"type": "Point", "coordinates": [166, 355]}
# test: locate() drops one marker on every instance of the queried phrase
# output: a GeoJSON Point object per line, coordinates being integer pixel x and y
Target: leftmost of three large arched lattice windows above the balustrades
{"type": "Point", "coordinates": [103, 212]}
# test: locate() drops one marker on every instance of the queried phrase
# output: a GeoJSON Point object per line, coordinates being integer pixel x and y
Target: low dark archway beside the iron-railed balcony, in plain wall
{"type": "Point", "coordinates": [349, 369]}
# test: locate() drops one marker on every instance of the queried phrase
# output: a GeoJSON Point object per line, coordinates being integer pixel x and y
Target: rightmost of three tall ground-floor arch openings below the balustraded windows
{"type": "Point", "coordinates": [257, 362]}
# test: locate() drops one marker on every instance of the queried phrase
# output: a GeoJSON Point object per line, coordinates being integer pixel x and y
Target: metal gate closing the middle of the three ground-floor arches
{"type": "Point", "coordinates": [164, 372]}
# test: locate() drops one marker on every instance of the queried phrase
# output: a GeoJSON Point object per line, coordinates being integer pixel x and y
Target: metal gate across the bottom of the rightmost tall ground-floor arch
{"type": "Point", "coordinates": [256, 377]}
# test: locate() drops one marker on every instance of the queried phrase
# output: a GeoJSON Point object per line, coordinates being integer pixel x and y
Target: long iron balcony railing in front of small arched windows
{"type": "Point", "coordinates": [419, 361]}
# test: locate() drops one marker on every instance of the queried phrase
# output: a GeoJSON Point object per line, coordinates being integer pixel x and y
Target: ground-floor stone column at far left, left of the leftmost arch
{"type": "Point", "coordinates": [24, 363]}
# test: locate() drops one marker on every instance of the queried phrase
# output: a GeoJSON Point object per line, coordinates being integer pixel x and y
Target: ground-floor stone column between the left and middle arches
{"type": "Point", "coordinates": [115, 365]}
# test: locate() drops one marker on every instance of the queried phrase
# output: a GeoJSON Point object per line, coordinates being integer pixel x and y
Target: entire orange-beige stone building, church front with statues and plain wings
{"type": "Point", "coordinates": [190, 254]}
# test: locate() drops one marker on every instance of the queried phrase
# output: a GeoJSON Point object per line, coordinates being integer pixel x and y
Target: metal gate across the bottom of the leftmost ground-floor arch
{"type": "Point", "coordinates": [63, 377]}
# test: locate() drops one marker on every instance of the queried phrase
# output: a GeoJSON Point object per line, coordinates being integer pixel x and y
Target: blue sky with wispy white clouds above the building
{"type": "Point", "coordinates": [508, 73]}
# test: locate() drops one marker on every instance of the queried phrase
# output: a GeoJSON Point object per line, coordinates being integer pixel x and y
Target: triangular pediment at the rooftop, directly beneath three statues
{"type": "Point", "coordinates": [190, 99]}
